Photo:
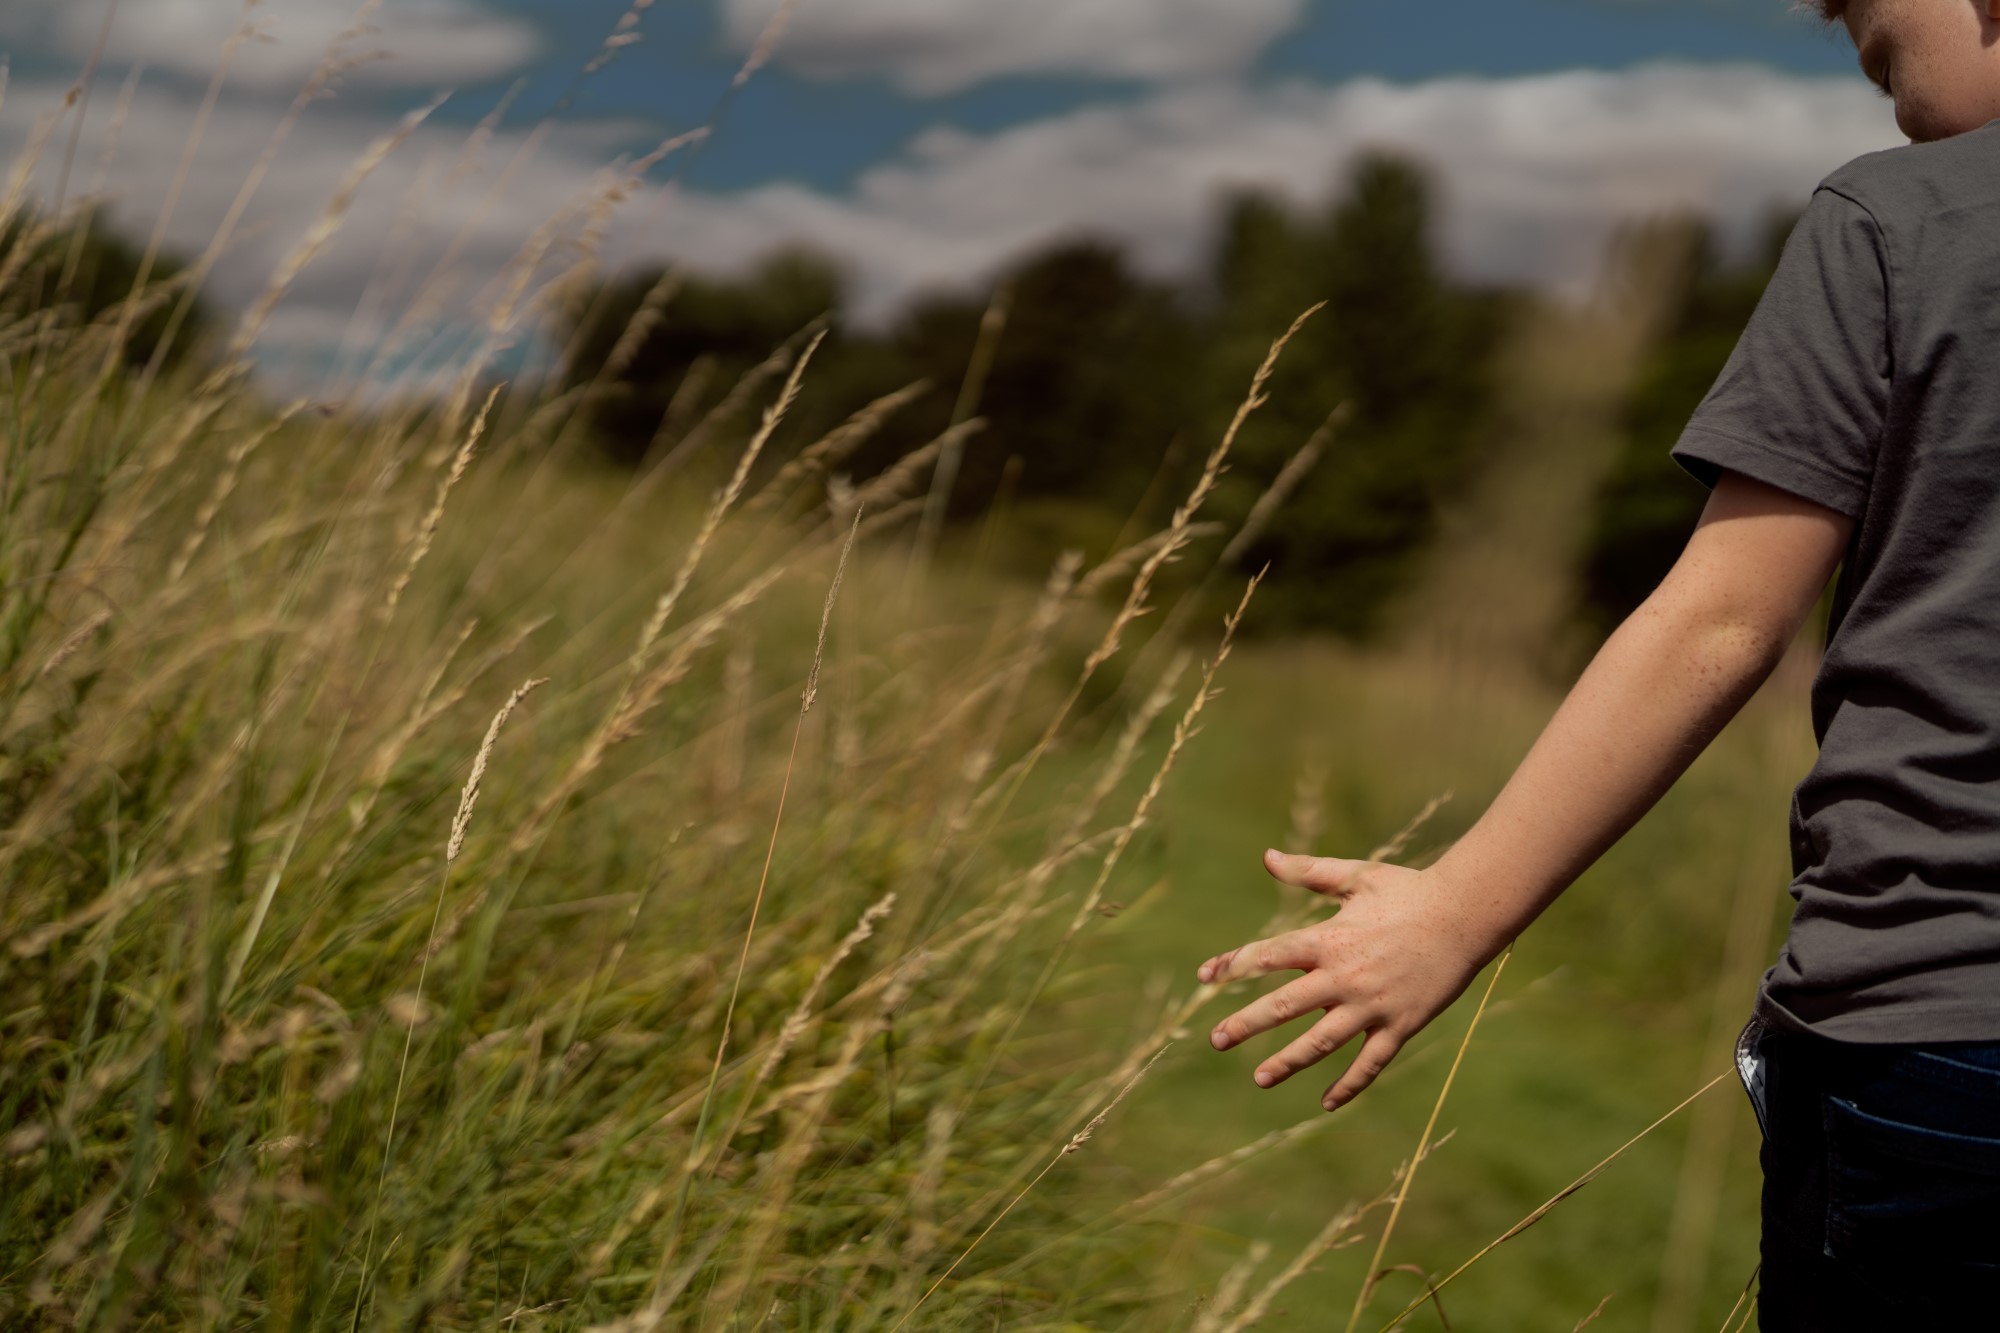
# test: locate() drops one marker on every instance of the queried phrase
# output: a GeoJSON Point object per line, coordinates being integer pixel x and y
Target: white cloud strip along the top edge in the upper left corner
{"type": "Point", "coordinates": [423, 43]}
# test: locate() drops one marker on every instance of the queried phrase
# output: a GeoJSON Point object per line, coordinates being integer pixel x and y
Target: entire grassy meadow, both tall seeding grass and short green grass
{"type": "Point", "coordinates": [451, 884]}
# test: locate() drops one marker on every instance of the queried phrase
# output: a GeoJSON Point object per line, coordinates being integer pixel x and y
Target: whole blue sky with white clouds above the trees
{"type": "Point", "coordinates": [473, 149]}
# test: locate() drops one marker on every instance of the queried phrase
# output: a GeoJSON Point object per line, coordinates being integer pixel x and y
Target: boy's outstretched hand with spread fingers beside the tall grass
{"type": "Point", "coordinates": [1397, 954]}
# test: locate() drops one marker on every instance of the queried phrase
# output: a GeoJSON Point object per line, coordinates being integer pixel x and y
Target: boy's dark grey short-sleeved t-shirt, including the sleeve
{"type": "Point", "coordinates": [1869, 381]}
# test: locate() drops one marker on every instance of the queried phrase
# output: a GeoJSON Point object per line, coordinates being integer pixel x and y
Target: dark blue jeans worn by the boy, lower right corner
{"type": "Point", "coordinates": [1881, 1186]}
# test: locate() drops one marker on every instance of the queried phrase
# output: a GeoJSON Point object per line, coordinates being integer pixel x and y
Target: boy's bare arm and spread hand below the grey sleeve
{"type": "Point", "coordinates": [1407, 944]}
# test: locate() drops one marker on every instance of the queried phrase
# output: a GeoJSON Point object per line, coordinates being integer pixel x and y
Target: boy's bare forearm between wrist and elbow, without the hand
{"type": "Point", "coordinates": [1649, 704]}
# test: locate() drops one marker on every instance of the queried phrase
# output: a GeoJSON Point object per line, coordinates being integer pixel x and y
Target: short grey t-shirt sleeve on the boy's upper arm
{"type": "Point", "coordinates": [1803, 399]}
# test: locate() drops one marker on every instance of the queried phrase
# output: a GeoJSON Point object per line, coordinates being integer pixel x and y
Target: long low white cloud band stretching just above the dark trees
{"type": "Point", "coordinates": [1533, 175]}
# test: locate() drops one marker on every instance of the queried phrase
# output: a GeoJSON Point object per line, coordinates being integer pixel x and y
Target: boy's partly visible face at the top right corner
{"type": "Point", "coordinates": [1937, 59]}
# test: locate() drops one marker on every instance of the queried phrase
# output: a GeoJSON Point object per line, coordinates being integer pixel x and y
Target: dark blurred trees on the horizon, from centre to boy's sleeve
{"type": "Point", "coordinates": [1107, 387]}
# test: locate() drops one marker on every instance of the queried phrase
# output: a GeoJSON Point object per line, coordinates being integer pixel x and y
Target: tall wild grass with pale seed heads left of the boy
{"type": "Point", "coordinates": [447, 886]}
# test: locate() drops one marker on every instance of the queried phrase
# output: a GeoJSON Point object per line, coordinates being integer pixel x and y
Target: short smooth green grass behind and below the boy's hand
{"type": "Point", "coordinates": [1605, 1020]}
